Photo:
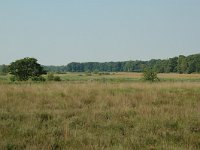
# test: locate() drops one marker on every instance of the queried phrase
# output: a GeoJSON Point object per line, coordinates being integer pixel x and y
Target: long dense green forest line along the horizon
{"type": "Point", "coordinates": [180, 64]}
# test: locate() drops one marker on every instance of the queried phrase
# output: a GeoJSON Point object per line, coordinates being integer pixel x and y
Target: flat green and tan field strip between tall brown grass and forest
{"type": "Point", "coordinates": [129, 77]}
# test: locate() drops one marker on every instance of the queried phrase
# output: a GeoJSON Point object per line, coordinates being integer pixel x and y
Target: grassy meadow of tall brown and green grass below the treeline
{"type": "Point", "coordinates": [118, 111]}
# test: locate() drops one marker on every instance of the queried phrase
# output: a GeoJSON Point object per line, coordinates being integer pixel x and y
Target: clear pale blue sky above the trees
{"type": "Point", "coordinates": [57, 32]}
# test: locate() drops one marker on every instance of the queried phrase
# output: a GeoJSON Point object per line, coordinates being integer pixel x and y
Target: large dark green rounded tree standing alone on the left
{"type": "Point", "coordinates": [26, 68]}
